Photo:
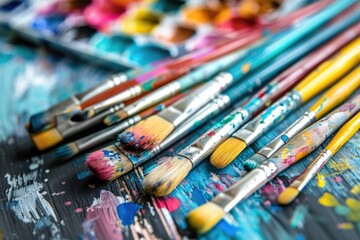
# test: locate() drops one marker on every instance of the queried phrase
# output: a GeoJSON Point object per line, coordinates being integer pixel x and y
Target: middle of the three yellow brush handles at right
{"type": "Point", "coordinates": [337, 94]}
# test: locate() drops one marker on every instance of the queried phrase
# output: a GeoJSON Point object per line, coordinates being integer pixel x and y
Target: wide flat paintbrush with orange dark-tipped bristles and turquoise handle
{"type": "Point", "coordinates": [147, 133]}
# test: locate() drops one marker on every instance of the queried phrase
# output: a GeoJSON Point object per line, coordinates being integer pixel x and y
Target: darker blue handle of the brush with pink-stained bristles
{"type": "Point", "coordinates": [267, 73]}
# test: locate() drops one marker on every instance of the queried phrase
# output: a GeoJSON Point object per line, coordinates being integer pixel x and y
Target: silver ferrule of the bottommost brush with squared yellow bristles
{"type": "Point", "coordinates": [247, 185]}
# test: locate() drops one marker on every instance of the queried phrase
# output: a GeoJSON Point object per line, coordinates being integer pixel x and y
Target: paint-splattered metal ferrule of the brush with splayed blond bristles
{"type": "Point", "coordinates": [208, 142]}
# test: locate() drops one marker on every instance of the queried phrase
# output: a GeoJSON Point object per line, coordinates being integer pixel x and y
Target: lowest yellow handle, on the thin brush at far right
{"type": "Point", "coordinates": [344, 134]}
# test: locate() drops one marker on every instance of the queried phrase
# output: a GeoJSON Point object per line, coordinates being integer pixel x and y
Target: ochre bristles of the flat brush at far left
{"type": "Point", "coordinates": [46, 139]}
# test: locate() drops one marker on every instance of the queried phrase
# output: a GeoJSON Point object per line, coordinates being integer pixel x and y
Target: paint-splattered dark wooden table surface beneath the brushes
{"type": "Point", "coordinates": [43, 199]}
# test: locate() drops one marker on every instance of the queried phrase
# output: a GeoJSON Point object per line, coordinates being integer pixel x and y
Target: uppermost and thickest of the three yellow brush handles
{"type": "Point", "coordinates": [331, 70]}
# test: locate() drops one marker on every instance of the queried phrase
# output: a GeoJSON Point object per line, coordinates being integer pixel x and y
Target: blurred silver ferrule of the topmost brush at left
{"type": "Point", "coordinates": [113, 81]}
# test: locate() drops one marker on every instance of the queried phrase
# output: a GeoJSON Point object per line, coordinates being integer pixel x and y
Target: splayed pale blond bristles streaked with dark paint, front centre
{"type": "Point", "coordinates": [163, 179]}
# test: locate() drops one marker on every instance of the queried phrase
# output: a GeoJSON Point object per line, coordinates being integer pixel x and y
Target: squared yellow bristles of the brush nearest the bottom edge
{"type": "Point", "coordinates": [205, 217]}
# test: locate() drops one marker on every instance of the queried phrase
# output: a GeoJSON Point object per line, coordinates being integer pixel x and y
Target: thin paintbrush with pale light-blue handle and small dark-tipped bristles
{"type": "Point", "coordinates": [198, 75]}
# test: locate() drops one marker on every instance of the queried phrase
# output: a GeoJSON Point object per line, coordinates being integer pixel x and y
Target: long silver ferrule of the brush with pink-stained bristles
{"type": "Point", "coordinates": [209, 110]}
